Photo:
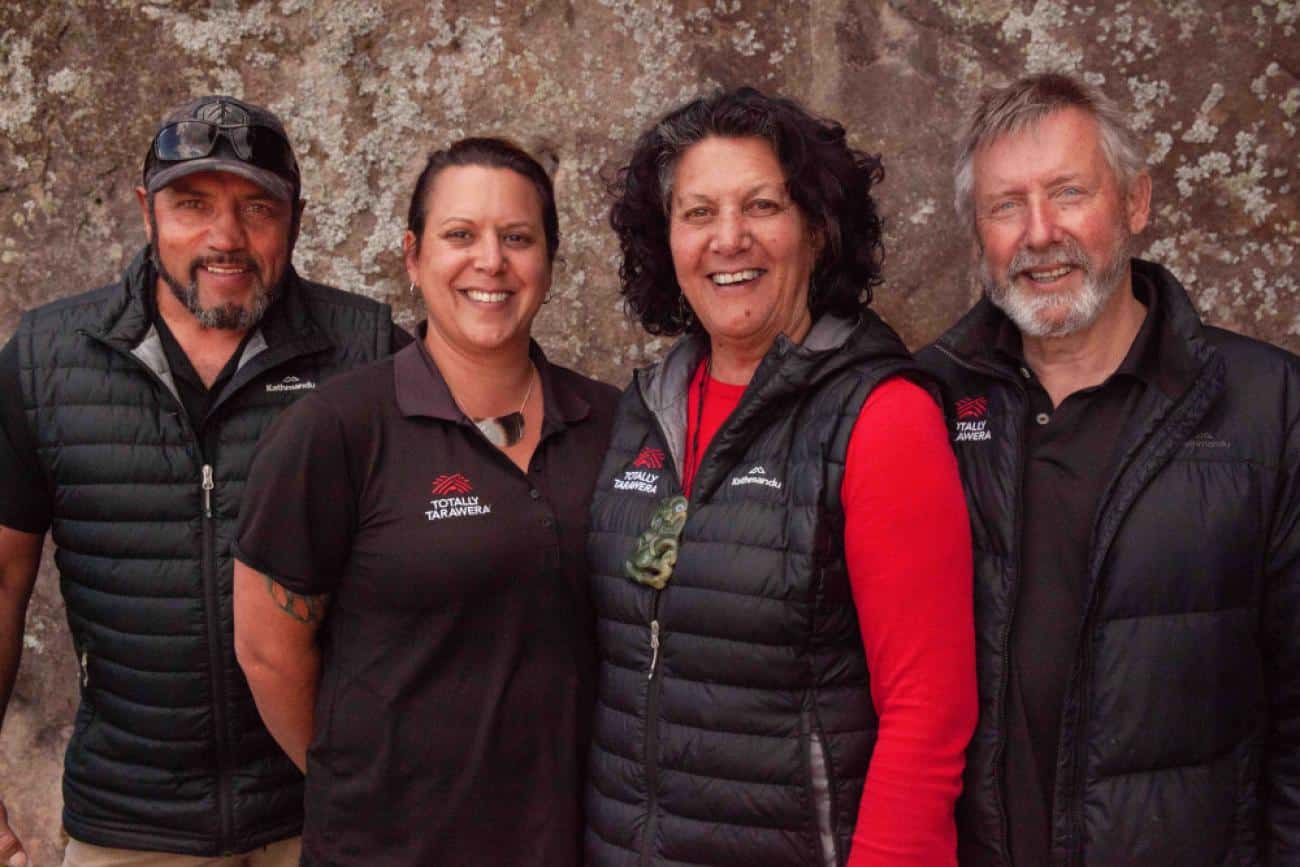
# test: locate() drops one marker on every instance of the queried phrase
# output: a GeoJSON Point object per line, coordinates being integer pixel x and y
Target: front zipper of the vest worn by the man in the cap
{"type": "Point", "coordinates": [211, 601]}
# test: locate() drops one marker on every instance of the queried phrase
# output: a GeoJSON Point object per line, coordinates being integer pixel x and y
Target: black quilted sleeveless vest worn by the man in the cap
{"type": "Point", "coordinates": [168, 752]}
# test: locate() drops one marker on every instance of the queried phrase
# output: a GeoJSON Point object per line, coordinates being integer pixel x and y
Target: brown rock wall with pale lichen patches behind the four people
{"type": "Point", "coordinates": [367, 88]}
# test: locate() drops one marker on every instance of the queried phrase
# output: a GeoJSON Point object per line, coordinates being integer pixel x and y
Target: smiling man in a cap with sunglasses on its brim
{"type": "Point", "coordinates": [128, 421]}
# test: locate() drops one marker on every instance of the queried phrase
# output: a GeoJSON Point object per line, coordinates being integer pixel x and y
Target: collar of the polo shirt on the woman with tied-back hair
{"type": "Point", "coordinates": [423, 393]}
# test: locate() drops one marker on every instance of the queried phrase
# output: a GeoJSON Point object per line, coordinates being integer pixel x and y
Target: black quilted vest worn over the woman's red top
{"type": "Point", "coordinates": [735, 725]}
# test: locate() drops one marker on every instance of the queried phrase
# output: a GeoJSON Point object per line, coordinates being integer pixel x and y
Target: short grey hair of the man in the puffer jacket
{"type": "Point", "coordinates": [1022, 105]}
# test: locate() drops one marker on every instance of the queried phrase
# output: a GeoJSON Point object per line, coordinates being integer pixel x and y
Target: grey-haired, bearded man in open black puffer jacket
{"type": "Point", "coordinates": [1134, 482]}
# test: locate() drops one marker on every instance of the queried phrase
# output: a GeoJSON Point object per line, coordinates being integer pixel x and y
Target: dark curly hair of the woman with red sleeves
{"type": "Point", "coordinates": [829, 181]}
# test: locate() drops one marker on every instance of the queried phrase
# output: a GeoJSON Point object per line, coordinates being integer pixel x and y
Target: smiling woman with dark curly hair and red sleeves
{"type": "Point", "coordinates": [778, 508]}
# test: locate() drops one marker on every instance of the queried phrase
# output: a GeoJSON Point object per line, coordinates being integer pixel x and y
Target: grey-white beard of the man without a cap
{"type": "Point", "coordinates": [1041, 315]}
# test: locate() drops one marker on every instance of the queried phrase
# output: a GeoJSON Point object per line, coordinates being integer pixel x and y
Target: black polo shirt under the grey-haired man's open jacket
{"type": "Point", "coordinates": [1072, 453]}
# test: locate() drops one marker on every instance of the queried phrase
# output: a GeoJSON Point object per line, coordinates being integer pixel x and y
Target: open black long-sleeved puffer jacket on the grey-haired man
{"type": "Point", "coordinates": [1181, 729]}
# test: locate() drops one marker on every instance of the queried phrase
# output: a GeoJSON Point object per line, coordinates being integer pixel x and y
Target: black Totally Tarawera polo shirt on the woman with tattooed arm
{"type": "Point", "coordinates": [454, 708]}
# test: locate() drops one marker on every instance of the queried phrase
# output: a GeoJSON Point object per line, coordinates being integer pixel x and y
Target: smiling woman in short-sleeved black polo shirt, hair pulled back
{"type": "Point", "coordinates": [411, 602]}
